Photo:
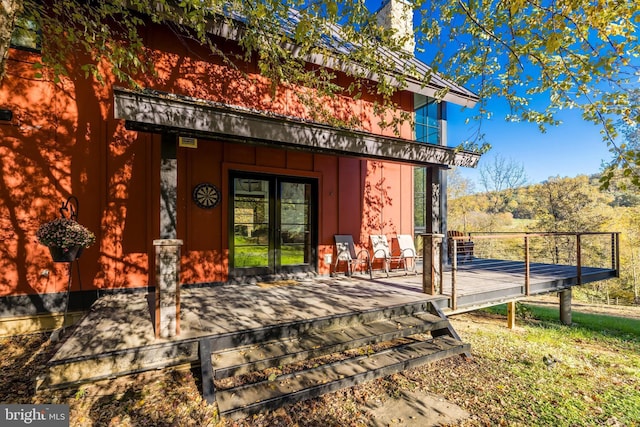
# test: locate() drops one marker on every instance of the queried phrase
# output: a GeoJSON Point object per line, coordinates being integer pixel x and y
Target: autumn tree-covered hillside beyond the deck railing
{"type": "Point", "coordinates": [559, 204]}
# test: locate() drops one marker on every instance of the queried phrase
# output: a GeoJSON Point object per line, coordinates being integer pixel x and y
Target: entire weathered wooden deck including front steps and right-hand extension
{"type": "Point", "coordinates": [234, 321]}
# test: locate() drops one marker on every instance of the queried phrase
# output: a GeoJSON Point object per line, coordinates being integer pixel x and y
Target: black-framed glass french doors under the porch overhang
{"type": "Point", "coordinates": [273, 224]}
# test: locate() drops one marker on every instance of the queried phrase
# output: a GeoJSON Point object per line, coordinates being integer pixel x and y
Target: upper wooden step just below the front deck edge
{"type": "Point", "coordinates": [319, 342]}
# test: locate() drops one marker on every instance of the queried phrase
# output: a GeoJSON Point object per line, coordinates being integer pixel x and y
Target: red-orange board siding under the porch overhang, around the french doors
{"type": "Point", "coordinates": [348, 201]}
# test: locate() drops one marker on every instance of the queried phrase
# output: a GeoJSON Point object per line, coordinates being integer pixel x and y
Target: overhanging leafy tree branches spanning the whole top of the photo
{"type": "Point", "coordinates": [572, 54]}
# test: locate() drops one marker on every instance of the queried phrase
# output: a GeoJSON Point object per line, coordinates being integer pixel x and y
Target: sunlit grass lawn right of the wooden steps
{"type": "Point", "coordinates": [547, 374]}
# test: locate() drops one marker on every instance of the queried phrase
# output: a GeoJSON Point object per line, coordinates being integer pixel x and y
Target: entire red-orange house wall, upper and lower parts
{"type": "Point", "coordinates": [63, 140]}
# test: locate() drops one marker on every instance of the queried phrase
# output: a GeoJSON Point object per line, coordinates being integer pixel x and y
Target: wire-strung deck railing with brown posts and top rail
{"type": "Point", "coordinates": [588, 249]}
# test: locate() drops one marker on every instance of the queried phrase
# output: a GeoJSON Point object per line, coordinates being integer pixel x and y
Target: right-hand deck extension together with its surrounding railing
{"type": "Point", "coordinates": [487, 279]}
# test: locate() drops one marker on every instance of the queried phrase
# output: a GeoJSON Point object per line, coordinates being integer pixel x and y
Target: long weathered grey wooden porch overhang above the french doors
{"type": "Point", "coordinates": [153, 111]}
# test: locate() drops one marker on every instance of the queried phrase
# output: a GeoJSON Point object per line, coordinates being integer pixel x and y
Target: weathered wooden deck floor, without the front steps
{"type": "Point", "coordinates": [120, 324]}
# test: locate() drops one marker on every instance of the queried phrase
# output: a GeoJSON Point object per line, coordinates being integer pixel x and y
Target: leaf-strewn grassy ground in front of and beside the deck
{"type": "Point", "coordinates": [541, 373]}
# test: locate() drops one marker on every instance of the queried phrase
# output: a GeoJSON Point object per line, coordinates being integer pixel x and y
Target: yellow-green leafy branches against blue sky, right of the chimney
{"type": "Point", "coordinates": [581, 55]}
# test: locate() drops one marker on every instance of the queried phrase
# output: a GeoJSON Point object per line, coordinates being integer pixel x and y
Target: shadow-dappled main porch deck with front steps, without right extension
{"type": "Point", "coordinates": [232, 330]}
